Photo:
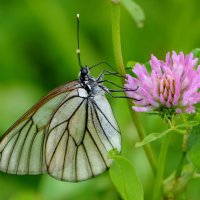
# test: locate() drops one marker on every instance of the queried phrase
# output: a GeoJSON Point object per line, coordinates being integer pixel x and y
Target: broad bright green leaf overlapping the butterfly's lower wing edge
{"type": "Point", "coordinates": [124, 178]}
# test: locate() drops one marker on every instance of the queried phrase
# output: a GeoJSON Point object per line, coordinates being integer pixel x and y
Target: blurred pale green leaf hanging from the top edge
{"type": "Point", "coordinates": [135, 11]}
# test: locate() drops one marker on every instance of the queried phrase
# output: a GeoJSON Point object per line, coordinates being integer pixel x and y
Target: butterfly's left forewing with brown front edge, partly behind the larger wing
{"type": "Point", "coordinates": [22, 146]}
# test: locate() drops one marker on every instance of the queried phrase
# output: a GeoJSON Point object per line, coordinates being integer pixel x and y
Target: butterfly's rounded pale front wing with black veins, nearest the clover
{"type": "Point", "coordinates": [80, 134]}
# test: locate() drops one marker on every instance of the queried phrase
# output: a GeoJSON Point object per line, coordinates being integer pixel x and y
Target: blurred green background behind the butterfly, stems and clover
{"type": "Point", "coordinates": [38, 52]}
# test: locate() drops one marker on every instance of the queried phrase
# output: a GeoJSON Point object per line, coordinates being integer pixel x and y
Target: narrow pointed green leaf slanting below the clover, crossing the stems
{"type": "Point", "coordinates": [152, 137]}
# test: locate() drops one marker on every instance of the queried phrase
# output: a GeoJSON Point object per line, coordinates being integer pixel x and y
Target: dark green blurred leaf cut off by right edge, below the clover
{"type": "Point", "coordinates": [194, 146]}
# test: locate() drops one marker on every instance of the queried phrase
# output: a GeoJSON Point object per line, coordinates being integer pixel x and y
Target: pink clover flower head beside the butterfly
{"type": "Point", "coordinates": [172, 84]}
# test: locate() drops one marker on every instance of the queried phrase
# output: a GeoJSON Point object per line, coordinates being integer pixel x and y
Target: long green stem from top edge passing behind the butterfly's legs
{"type": "Point", "coordinates": [120, 64]}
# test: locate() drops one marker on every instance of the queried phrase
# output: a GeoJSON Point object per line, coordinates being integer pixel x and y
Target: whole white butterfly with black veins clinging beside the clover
{"type": "Point", "coordinates": [67, 134]}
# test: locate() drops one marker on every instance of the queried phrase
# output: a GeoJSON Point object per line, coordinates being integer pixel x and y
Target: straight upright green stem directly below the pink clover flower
{"type": "Point", "coordinates": [160, 169]}
